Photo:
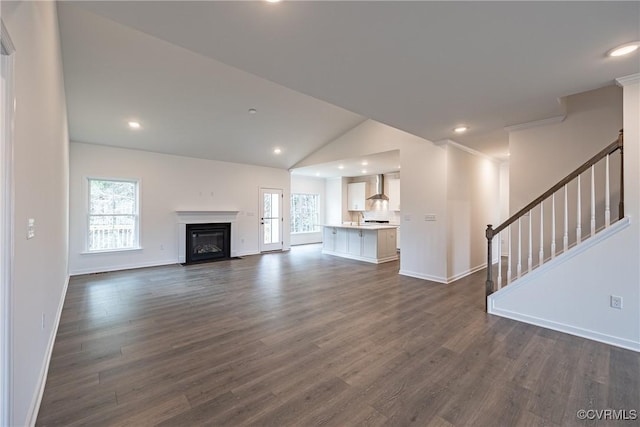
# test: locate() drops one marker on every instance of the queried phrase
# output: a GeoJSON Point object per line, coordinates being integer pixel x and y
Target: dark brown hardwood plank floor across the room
{"type": "Point", "coordinates": [304, 339]}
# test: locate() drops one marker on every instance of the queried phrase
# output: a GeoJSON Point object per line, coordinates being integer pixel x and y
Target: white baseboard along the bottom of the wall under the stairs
{"type": "Point", "coordinates": [568, 329]}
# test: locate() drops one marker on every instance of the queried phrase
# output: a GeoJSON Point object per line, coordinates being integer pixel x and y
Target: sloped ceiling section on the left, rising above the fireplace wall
{"type": "Point", "coordinates": [187, 104]}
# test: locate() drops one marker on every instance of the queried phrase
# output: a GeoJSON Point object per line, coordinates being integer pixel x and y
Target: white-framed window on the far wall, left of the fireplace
{"type": "Point", "coordinates": [113, 214]}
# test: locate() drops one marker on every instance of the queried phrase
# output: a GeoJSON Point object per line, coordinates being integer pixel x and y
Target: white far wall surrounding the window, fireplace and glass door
{"type": "Point", "coordinates": [168, 183]}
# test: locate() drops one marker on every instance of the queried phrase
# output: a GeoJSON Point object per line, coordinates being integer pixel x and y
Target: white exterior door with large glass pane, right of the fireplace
{"type": "Point", "coordinates": [271, 219]}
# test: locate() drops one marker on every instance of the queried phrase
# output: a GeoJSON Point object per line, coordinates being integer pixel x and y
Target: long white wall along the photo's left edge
{"type": "Point", "coordinates": [40, 168]}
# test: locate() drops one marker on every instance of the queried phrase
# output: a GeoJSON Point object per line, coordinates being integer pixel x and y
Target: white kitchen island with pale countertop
{"type": "Point", "coordinates": [369, 243]}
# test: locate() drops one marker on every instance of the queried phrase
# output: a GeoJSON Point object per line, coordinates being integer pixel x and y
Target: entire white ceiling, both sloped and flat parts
{"type": "Point", "coordinates": [191, 70]}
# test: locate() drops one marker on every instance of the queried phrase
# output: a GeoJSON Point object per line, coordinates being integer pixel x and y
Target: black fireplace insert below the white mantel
{"type": "Point", "coordinates": [207, 242]}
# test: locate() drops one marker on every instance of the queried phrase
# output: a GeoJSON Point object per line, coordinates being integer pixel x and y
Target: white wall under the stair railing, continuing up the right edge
{"type": "Point", "coordinates": [574, 296]}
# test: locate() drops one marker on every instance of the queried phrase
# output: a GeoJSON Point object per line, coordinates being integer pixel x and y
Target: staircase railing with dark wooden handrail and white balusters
{"type": "Point", "coordinates": [553, 224]}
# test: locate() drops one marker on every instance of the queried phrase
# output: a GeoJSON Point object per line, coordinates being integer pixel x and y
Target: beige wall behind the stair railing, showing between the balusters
{"type": "Point", "coordinates": [541, 156]}
